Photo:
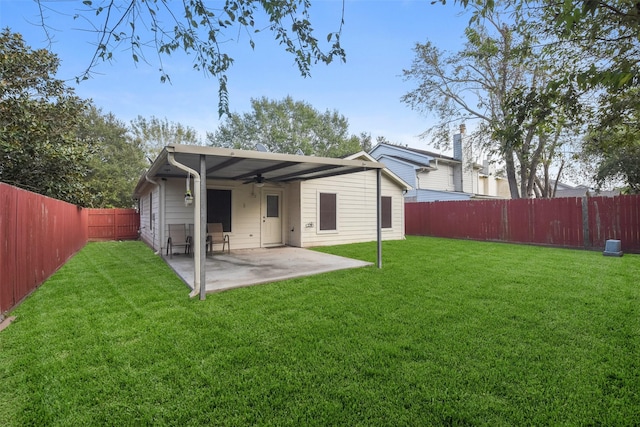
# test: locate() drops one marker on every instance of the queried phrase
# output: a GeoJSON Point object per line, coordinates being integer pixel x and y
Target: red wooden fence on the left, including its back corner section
{"type": "Point", "coordinates": [39, 234]}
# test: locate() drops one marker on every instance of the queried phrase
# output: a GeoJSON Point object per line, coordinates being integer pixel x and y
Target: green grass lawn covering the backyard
{"type": "Point", "coordinates": [447, 333]}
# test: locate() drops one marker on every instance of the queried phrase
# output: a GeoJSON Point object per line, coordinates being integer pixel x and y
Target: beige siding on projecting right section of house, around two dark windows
{"type": "Point", "coordinates": [356, 209]}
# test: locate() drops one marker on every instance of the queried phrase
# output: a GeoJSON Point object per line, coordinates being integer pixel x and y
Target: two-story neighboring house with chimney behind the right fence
{"type": "Point", "coordinates": [435, 177]}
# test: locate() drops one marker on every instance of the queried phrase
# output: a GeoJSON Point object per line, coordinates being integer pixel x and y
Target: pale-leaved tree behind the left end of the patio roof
{"type": "Point", "coordinates": [154, 134]}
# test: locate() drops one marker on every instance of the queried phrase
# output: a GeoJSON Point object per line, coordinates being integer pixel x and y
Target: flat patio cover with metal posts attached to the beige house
{"type": "Point", "coordinates": [176, 161]}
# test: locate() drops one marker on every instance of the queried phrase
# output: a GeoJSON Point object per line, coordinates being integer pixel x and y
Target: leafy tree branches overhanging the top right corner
{"type": "Point", "coordinates": [605, 34]}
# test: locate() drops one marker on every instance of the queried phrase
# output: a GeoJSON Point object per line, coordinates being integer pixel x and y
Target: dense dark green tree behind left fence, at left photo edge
{"type": "Point", "coordinates": [39, 117]}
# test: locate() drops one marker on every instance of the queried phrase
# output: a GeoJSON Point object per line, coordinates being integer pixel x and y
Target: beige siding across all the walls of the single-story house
{"type": "Point", "coordinates": [355, 202]}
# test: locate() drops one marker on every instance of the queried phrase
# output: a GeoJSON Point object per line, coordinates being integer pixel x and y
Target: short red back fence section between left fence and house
{"type": "Point", "coordinates": [113, 224]}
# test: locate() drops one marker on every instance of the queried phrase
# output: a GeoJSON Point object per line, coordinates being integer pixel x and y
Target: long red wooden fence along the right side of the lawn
{"type": "Point", "coordinates": [566, 222]}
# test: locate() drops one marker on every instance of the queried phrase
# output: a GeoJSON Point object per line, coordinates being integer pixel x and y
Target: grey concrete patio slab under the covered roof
{"type": "Point", "coordinates": [256, 266]}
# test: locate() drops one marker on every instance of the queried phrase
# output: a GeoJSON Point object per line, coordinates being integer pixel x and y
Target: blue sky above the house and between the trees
{"type": "Point", "coordinates": [378, 36]}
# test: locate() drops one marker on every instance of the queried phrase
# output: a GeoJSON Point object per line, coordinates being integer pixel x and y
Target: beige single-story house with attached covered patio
{"type": "Point", "coordinates": [267, 199]}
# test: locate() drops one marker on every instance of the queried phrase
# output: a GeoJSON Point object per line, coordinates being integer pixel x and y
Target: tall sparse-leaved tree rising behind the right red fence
{"type": "Point", "coordinates": [501, 81]}
